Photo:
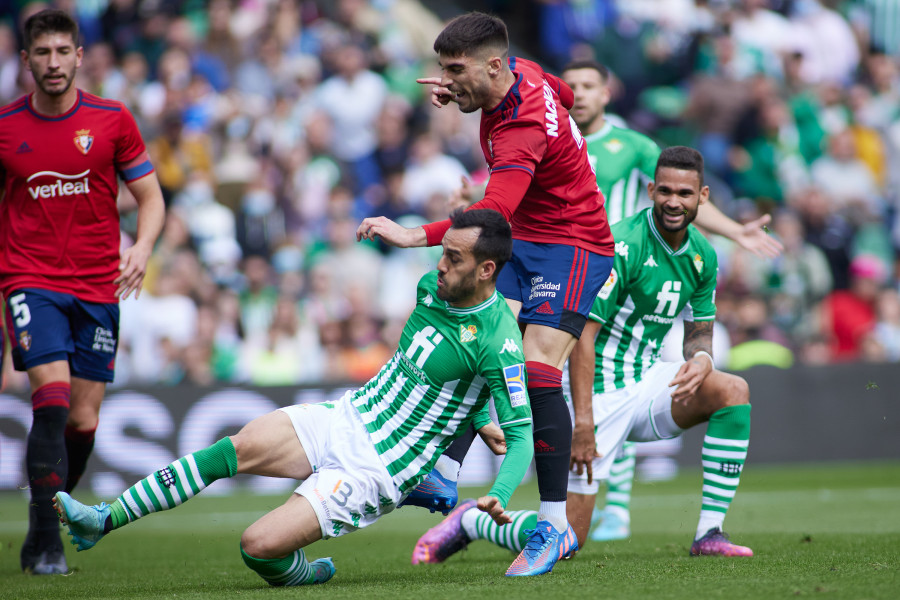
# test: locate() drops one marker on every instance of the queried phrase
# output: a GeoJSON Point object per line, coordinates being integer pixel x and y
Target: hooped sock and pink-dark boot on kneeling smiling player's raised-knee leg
{"type": "Point", "coordinates": [724, 451]}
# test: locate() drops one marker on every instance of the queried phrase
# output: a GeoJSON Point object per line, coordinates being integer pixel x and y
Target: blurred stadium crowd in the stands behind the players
{"type": "Point", "coordinates": [276, 125]}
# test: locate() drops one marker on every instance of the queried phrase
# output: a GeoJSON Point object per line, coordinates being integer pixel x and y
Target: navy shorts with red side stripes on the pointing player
{"type": "Point", "coordinates": [555, 283]}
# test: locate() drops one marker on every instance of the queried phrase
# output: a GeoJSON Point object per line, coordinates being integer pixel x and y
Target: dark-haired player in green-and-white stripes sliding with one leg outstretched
{"type": "Point", "coordinates": [359, 457]}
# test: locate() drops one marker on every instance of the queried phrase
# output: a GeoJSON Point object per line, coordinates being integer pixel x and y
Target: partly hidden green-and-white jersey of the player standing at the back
{"type": "Point", "coordinates": [624, 161]}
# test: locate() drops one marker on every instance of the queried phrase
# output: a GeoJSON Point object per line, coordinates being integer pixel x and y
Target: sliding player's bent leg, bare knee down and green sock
{"type": "Point", "coordinates": [273, 545]}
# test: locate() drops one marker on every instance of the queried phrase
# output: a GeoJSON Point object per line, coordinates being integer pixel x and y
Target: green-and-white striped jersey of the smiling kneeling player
{"type": "Point", "coordinates": [650, 284]}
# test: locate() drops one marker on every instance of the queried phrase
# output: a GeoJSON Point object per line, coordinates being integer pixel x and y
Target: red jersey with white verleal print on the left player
{"type": "Point", "coordinates": [59, 223]}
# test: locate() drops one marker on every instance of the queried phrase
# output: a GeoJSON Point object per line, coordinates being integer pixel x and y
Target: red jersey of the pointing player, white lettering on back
{"type": "Point", "coordinates": [531, 131]}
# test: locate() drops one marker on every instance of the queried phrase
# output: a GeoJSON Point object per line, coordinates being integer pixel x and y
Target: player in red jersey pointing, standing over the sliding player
{"type": "Point", "coordinates": [542, 182]}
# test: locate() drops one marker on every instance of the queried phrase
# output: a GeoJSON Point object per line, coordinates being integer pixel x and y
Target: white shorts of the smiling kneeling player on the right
{"type": "Point", "coordinates": [639, 413]}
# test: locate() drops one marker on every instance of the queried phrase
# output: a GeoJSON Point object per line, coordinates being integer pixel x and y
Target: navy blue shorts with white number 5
{"type": "Point", "coordinates": [47, 326]}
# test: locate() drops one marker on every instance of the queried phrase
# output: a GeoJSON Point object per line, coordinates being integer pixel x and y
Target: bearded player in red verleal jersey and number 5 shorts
{"type": "Point", "coordinates": [62, 151]}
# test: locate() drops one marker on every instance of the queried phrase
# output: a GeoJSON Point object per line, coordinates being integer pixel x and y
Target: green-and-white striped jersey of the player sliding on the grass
{"type": "Point", "coordinates": [449, 363]}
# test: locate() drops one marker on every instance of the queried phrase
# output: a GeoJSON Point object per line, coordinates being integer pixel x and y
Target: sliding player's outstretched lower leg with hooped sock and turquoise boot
{"type": "Point", "coordinates": [162, 490]}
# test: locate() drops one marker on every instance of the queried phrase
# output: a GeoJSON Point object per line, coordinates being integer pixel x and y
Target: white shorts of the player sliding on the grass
{"type": "Point", "coordinates": [350, 488]}
